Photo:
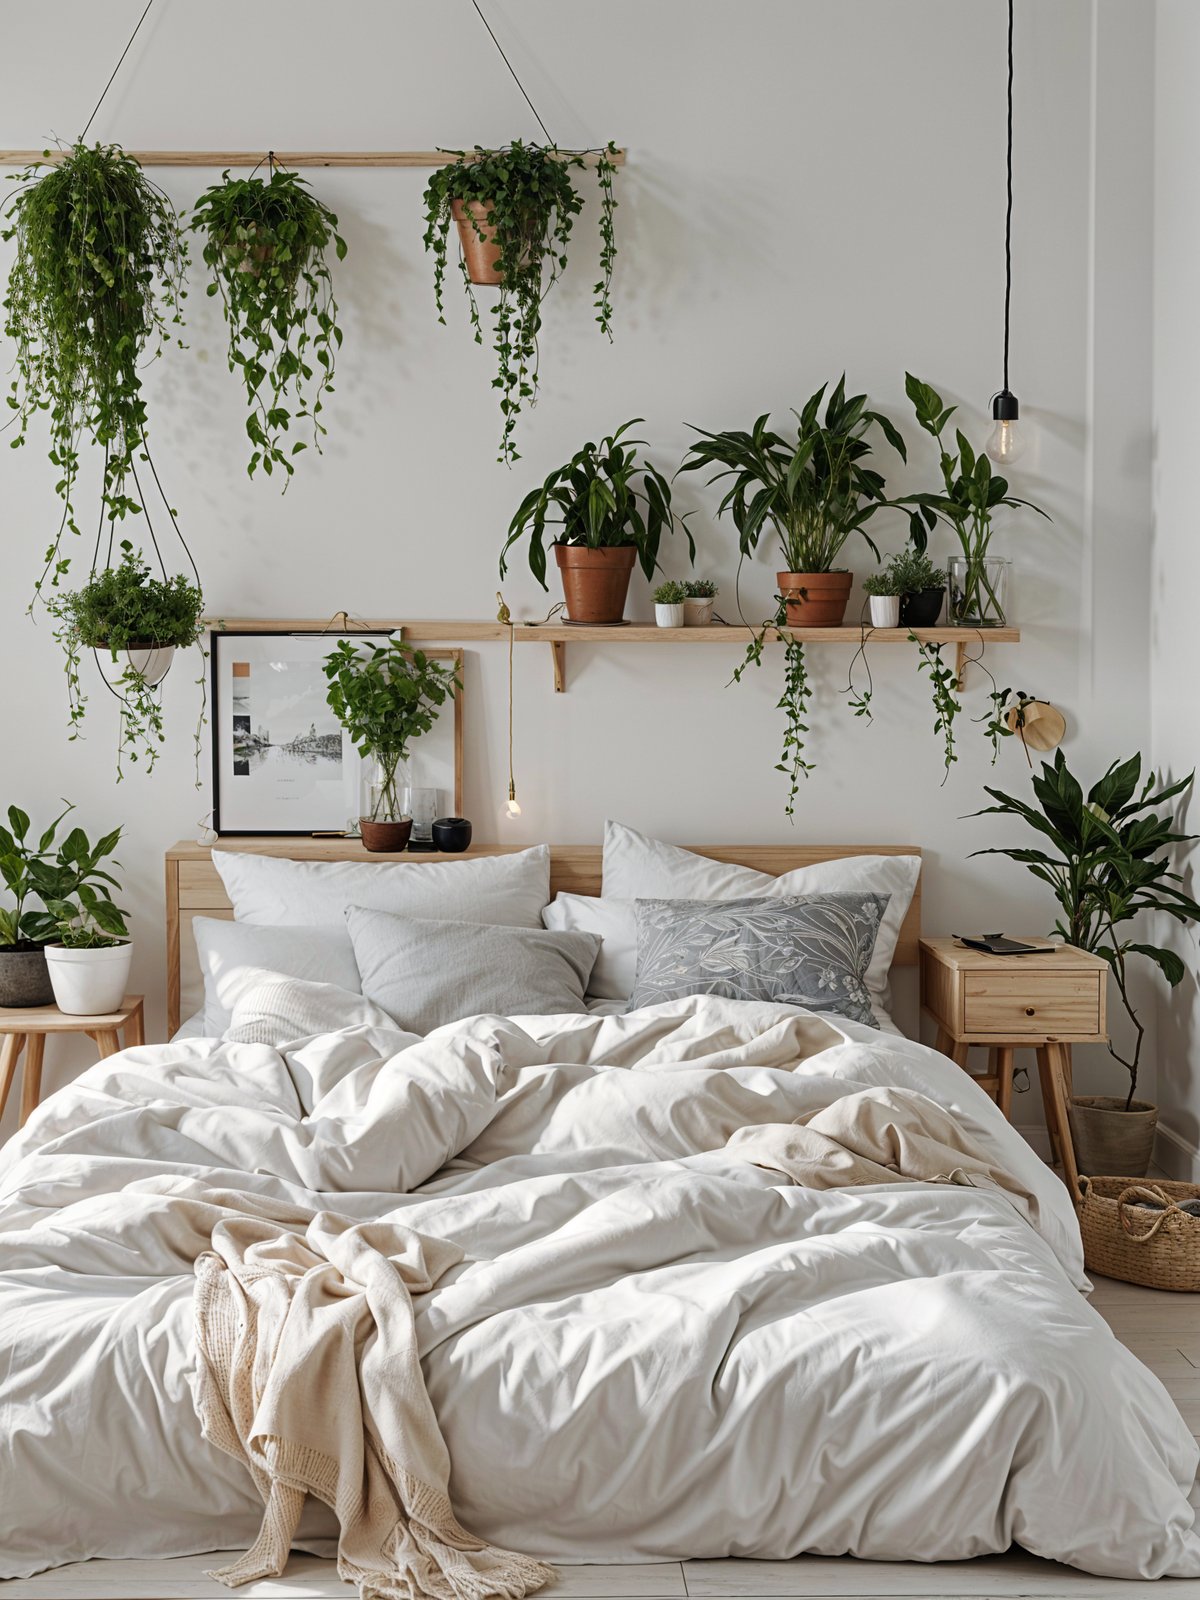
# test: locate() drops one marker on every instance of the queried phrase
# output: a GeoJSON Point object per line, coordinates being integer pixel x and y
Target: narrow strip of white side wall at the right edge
{"type": "Point", "coordinates": [1175, 660]}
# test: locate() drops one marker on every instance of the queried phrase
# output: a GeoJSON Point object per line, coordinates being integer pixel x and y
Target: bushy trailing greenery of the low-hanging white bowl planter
{"type": "Point", "coordinates": [124, 609]}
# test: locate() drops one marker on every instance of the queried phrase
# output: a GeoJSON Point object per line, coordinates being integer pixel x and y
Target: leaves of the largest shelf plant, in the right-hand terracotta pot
{"type": "Point", "coordinates": [815, 490]}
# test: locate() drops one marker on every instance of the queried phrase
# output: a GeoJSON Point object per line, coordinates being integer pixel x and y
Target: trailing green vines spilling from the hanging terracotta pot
{"type": "Point", "coordinates": [532, 202]}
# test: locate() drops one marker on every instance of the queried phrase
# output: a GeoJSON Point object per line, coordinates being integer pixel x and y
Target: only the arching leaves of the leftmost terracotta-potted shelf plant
{"type": "Point", "coordinates": [596, 500]}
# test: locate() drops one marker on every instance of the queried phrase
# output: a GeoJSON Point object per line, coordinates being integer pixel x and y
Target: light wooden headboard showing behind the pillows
{"type": "Point", "coordinates": [194, 887]}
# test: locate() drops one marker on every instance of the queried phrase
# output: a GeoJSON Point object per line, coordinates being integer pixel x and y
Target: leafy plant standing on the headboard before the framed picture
{"type": "Point", "coordinates": [386, 697]}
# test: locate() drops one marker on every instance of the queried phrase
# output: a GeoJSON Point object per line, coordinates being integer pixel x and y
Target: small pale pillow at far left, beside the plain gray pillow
{"type": "Point", "coordinates": [233, 954]}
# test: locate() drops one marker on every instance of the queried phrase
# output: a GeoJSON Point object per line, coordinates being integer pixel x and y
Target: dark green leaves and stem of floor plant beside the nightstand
{"type": "Point", "coordinates": [1106, 863]}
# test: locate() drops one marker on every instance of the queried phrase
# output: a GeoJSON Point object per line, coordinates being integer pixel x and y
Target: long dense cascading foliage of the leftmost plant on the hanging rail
{"type": "Point", "coordinates": [97, 284]}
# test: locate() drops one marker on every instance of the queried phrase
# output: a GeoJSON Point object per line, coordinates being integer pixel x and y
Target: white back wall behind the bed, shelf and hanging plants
{"type": "Point", "coordinates": [810, 188]}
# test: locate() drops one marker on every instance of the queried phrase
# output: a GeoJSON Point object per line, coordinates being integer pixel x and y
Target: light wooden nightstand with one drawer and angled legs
{"type": "Point", "coordinates": [1014, 1002]}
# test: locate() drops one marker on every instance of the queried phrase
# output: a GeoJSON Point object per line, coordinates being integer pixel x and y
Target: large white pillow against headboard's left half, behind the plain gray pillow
{"type": "Point", "coordinates": [503, 890]}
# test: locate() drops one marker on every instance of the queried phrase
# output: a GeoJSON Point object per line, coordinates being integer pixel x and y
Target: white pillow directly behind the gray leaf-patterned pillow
{"type": "Point", "coordinates": [641, 868]}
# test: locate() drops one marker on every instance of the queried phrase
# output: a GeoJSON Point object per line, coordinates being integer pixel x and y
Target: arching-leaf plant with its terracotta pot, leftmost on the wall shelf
{"type": "Point", "coordinates": [612, 511]}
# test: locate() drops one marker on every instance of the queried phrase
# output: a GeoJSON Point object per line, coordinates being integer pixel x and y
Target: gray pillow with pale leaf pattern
{"type": "Point", "coordinates": [812, 951]}
